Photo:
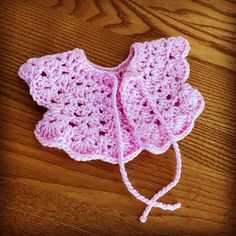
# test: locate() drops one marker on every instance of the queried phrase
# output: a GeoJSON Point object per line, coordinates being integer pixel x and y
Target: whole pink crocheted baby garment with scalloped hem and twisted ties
{"type": "Point", "coordinates": [113, 114]}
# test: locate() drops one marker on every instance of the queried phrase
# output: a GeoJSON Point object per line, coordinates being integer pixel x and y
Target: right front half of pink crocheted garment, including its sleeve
{"type": "Point", "coordinates": [157, 94]}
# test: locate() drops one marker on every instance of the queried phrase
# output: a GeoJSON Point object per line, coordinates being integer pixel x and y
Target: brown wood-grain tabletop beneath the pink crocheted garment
{"type": "Point", "coordinates": [44, 192]}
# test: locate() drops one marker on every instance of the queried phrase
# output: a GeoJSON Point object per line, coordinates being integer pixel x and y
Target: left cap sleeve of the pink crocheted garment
{"type": "Point", "coordinates": [48, 76]}
